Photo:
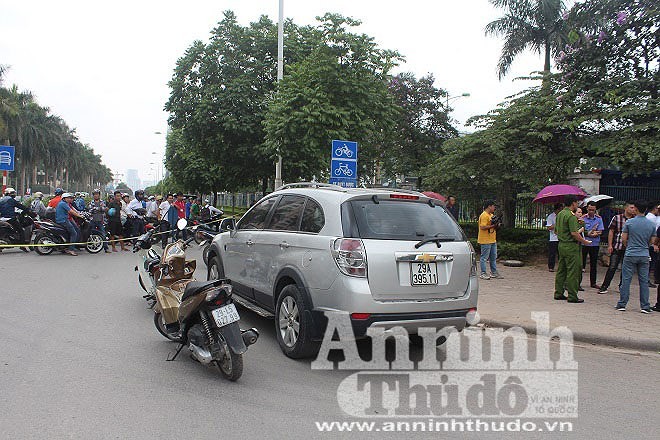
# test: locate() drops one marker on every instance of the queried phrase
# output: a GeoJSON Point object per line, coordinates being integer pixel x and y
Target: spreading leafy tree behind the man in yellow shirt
{"type": "Point", "coordinates": [522, 145]}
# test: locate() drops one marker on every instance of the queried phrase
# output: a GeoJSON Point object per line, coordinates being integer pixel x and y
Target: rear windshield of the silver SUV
{"type": "Point", "coordinates": [402, 220]}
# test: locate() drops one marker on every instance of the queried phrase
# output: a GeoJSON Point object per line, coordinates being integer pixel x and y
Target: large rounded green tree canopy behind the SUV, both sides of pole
{"type": "Point", "coordinates": [230, 119]}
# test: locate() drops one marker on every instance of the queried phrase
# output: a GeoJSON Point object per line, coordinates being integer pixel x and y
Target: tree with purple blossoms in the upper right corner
{"type": "Point", "coordinates": [610, 80]}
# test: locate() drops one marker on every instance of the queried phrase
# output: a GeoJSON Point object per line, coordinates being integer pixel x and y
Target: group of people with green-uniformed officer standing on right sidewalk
{"type": "Point", "coordinates": [632, 241]}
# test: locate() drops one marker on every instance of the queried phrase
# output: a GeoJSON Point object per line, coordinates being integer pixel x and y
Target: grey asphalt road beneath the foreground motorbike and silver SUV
{"type": "Point", "coordinates": [80, 358]}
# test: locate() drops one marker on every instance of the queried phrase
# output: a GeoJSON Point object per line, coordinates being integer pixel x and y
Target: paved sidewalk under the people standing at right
{"type": "Point", "coordinates": [510, 301]}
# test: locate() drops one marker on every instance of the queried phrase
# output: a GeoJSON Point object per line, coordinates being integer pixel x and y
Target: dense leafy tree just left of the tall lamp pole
{"type": "Point", "coordinates": [219, 97]}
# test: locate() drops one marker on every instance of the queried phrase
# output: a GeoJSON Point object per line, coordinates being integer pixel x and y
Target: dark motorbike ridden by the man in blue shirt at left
{"type": "Point", "coordinates": [49, 232]}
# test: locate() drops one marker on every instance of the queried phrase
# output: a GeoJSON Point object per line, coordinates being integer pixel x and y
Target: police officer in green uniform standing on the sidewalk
{"type": "Point", "coordinates": [570, 257]}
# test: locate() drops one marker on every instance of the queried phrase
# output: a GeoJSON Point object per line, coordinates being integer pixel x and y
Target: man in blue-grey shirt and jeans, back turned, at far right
{"type": "Point", "coordinates": [638, 233]}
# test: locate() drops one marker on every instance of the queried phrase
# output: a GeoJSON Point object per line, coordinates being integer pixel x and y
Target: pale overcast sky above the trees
{"type": "Point", "coordinates": [104, 66]}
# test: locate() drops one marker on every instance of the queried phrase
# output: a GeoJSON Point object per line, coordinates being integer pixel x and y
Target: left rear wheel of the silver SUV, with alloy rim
{"type": "Point", "coordinates": [291, 323]}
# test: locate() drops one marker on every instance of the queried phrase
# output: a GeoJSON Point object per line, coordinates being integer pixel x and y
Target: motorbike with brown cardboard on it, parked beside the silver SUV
{"type": "Point", "coordinates": [199, 315]}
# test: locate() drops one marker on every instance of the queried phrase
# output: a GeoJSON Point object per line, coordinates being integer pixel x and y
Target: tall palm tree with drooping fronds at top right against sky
{"type": "Point", "coordinates": [529, 24]}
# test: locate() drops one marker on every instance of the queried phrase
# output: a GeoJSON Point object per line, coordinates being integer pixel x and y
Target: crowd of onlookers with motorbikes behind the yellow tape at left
{"type": "Point", "coordinates": [124, 218]}
